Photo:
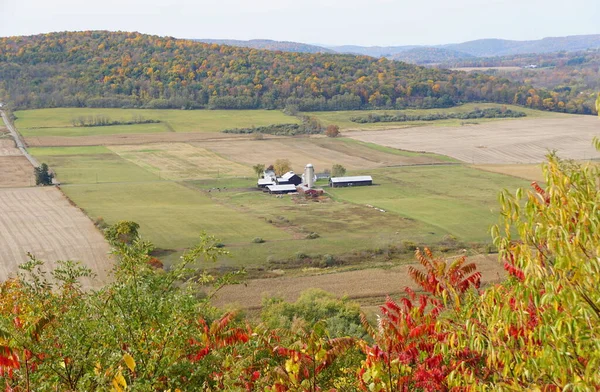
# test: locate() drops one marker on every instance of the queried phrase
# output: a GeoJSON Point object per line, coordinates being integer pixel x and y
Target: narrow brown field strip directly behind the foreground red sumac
{"type": "Point", "coordinates": [367, 286]}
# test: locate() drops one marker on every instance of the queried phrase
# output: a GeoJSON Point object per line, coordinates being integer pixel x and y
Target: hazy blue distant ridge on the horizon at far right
{"type": "Point", "coordinates": [500, 47]}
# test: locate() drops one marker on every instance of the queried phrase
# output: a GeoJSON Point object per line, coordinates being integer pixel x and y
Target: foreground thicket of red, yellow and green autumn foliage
{"type": "Point", "coordinates": [151, 330]}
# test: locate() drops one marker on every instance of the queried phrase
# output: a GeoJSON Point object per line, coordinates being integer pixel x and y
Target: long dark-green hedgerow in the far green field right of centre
{"type": "Point", "coordinates": [478, 113]}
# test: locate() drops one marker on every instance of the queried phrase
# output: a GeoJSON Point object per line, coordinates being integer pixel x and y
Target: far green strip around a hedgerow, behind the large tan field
{"type": "Point", "coordinates": [342, 118]}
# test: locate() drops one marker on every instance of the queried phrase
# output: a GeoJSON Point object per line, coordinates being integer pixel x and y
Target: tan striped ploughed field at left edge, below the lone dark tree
{"type": "Point", "coordinates": [43, 222]}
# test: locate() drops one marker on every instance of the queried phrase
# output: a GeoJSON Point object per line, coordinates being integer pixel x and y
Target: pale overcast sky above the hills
{"type": "Point", "coordinates": [333, 22]}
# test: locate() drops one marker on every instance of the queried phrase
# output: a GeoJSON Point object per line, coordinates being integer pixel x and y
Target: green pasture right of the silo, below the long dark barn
{"type": "Point", "coordinates": [456, 199]}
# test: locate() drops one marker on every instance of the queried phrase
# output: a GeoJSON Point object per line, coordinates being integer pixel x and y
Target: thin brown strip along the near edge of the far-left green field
{"type": "Point", "coordinates": [114, 140]}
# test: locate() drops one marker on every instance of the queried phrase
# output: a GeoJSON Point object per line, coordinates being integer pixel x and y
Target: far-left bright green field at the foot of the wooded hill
{"type": "Point", "coordinates": [58, 122]}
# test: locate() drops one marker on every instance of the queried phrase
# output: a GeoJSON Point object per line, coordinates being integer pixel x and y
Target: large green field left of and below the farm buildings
{"type": "Point", "coordinates": [170, 215]}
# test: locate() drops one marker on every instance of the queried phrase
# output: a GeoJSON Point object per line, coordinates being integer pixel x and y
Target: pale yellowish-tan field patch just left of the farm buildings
{"type": "Point", "coordinates": [181, 161]}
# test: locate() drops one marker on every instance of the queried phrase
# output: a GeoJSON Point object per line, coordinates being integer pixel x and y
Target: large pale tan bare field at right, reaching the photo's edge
{"type": "Point", "coordinates": [499, 142]}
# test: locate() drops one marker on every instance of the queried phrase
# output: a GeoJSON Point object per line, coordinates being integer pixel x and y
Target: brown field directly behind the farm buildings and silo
{"type": "Point", "coordinates": [321, 152]}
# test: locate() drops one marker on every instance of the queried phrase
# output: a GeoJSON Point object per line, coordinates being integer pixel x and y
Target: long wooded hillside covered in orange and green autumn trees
{"type": "Point", "coordinates": [125, 70]}
